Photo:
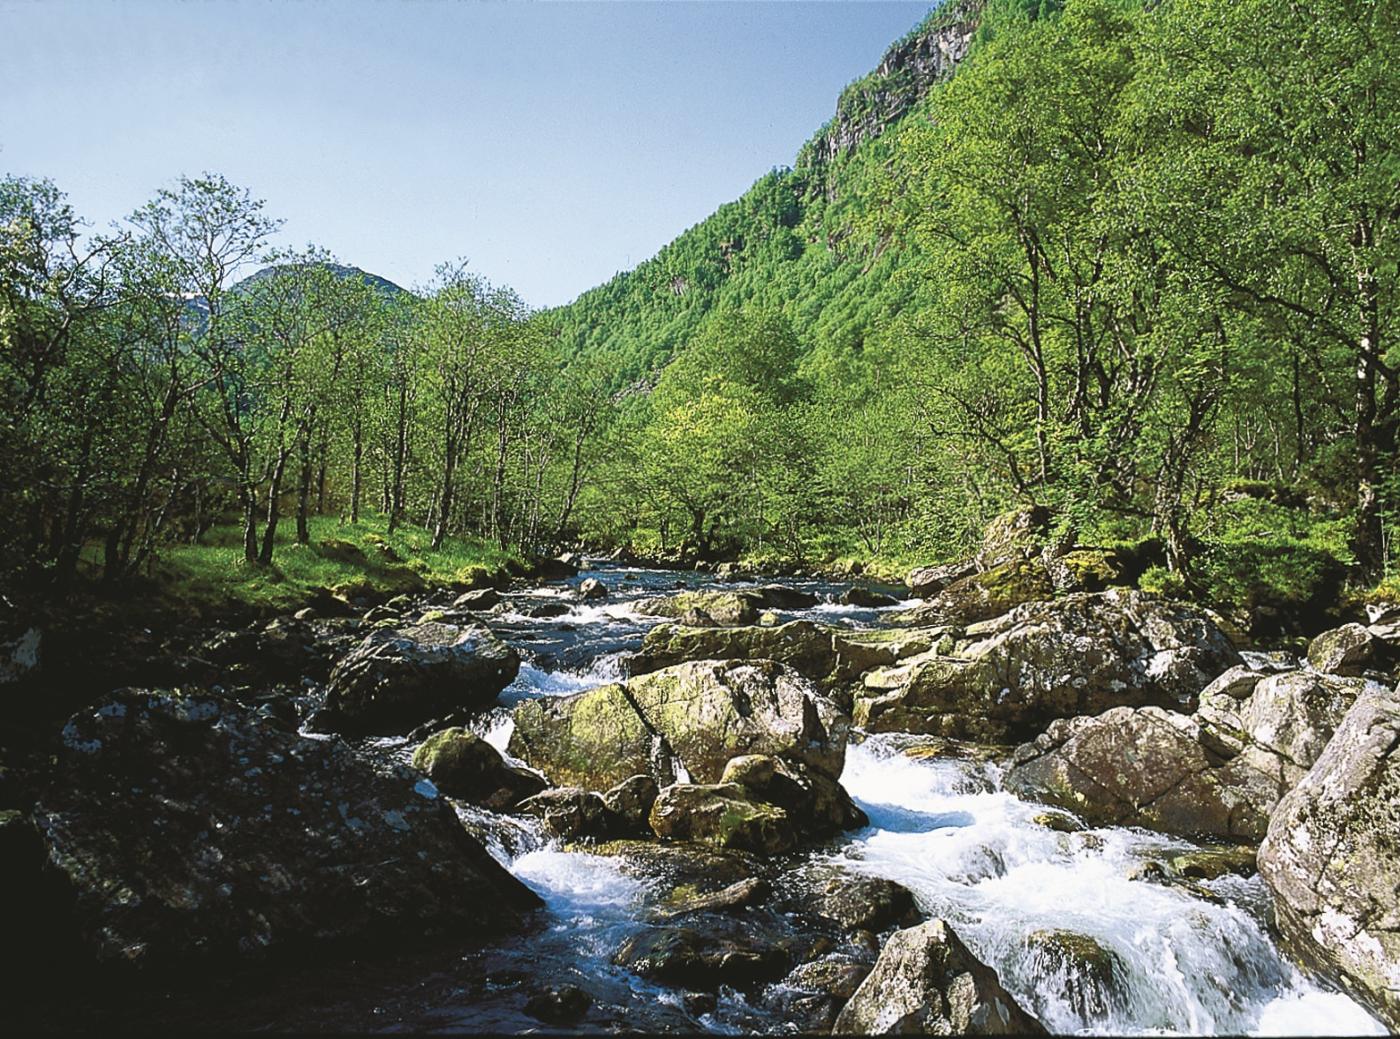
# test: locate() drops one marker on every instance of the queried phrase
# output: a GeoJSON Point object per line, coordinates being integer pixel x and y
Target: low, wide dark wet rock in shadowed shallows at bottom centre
{"type": "Point", "coordinates": [703, 960]}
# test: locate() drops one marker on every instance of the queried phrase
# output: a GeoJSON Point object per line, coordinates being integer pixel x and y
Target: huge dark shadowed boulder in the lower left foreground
{"type": "Point", "coordinates": [188, 828]}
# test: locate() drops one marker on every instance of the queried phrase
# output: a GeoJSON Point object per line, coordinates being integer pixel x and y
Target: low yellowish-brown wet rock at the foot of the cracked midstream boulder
{"type": "Point", "coordinates": [722, 814]}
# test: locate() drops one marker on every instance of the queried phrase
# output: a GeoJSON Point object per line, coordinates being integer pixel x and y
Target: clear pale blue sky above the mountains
{"type": "Point", "coordinates": [549, 145]}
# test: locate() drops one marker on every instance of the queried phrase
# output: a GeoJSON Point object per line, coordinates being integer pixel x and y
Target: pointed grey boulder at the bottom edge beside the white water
{"type": "Point", "coordinates": [926, 982]}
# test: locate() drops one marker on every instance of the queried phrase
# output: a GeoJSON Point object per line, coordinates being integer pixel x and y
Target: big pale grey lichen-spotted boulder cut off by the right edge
{"type": "Point", "coordinates": [1332, 858]}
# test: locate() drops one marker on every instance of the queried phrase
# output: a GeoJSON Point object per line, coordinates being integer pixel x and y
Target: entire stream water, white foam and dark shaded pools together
{"type": "Point", "coordinates": [1186, 963]}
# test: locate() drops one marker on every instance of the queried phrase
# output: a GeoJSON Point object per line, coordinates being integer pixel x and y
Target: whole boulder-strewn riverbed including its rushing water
{"type": "Point", "coordinates": [633, 799]}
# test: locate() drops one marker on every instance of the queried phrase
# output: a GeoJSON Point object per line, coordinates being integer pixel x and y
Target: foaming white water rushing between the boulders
{"type": "Point", "coordinates": [975, 856]}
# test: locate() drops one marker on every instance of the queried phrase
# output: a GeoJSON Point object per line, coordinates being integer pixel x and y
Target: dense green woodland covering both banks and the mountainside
{"type": "Point", "coordinates": [1136, 264]}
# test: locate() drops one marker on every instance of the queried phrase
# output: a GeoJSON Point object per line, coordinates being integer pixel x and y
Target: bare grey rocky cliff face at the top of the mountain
{"type": "Point", "coordinates": [909, 69]}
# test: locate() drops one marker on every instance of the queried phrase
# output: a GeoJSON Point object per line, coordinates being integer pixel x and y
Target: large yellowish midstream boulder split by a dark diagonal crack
{"type": "Point", "coordinates": [687, 720]}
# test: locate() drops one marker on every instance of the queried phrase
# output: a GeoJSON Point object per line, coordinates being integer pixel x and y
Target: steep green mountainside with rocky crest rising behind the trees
{"type": "Point", "coordinates": [797, 240]}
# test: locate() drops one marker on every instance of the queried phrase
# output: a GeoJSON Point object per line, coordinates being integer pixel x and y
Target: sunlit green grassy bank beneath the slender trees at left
{"type": "Point", "coordinates": [344, 559]}
